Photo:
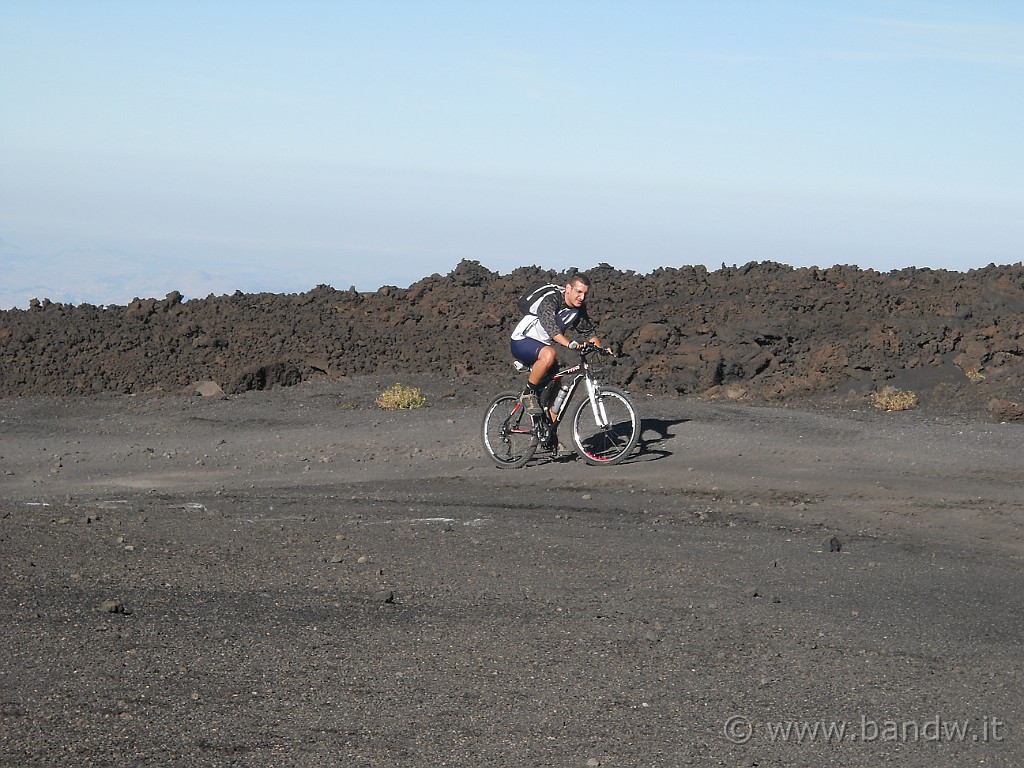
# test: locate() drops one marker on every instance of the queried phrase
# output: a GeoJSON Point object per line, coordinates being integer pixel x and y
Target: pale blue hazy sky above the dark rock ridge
{"type": "Point", "coordinates": [215, 147]}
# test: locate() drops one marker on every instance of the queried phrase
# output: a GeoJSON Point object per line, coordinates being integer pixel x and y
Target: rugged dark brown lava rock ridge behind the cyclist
{"type": "Point", "coordinates": [762, 332]}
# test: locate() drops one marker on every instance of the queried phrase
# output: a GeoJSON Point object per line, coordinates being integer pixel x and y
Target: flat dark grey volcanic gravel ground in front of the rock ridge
{"type": "Point", "coordinates": [295, 578]}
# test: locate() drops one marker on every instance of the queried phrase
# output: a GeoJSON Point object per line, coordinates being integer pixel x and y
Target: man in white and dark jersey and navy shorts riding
{"type": "Point", "coordinates": [536, 335]}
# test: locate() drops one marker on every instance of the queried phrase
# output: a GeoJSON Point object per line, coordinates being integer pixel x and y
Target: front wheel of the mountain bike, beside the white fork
{"type": "Point", "coordinates": [606, 432]}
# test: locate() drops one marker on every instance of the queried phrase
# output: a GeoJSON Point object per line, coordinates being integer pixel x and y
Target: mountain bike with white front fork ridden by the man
{"type": "Point", "coordinates": [606, 425]}
